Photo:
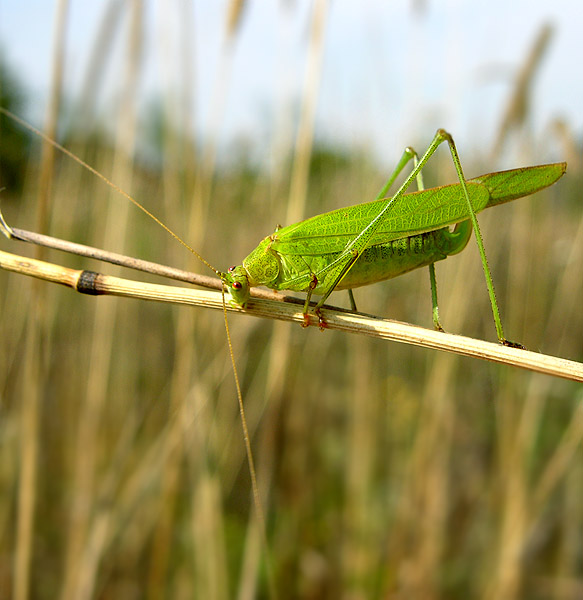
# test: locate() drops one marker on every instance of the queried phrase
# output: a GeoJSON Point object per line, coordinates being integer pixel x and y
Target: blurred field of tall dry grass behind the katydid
{"type": "Point", "coordinates": [385, 471]}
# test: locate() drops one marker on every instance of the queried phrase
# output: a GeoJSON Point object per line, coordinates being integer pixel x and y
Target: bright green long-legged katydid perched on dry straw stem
{"type": "Point", "coordinates": [362, 244]}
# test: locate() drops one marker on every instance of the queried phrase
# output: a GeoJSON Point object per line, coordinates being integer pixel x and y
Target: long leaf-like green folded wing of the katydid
{"type": "Point", "coordinates": [413, 213]}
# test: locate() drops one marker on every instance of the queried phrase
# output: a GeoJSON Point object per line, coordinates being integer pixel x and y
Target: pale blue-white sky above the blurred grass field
{"type": "Point", "coordinates": [392, 72]}
